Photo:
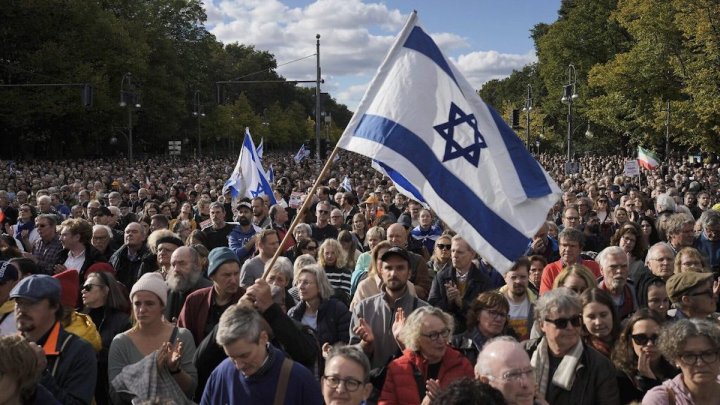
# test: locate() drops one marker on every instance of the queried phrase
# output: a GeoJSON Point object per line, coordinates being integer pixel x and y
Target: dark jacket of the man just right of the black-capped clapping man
{"type": "Point", "coordinates": [477, 282]}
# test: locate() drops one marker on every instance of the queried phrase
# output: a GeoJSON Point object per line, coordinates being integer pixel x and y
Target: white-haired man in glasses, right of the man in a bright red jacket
{"type": "Point", "coordinates": [613, 264]}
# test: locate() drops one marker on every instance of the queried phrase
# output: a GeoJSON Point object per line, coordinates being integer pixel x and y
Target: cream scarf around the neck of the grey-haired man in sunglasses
{"type": "Point", "coordinates": [564, 375]}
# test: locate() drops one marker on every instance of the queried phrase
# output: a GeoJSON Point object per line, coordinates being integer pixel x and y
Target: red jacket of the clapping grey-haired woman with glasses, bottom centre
{"type": "Point", "coordinates": [400, 386]}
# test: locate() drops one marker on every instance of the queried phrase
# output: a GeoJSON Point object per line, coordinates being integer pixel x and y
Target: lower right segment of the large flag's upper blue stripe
{"type": "Point", "coordinates": [533, 180]}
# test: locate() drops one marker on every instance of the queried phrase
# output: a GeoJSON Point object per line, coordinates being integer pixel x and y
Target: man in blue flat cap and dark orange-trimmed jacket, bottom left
{"type": "Point", "coordinates": [69, 363]}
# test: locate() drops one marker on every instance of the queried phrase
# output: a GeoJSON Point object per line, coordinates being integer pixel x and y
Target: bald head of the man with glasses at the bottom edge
{"type": "Point", "coordinates": [504, 364]}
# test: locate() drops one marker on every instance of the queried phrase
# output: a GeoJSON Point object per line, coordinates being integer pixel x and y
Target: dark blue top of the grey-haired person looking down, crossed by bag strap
{"type": "Point", "coordinates": [227, 385]}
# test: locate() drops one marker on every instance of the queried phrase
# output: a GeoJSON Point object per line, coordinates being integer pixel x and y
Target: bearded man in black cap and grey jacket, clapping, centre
{"type": "Point", "coordinates": [369, 326]}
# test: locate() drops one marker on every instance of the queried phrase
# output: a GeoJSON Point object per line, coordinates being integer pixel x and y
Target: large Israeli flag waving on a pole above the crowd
{"type": "Point", "coordinates": [422, 119]}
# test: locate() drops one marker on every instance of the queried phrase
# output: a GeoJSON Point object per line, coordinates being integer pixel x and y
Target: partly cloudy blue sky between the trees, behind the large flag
{"type": "Point", "coordinates": [485, 39]}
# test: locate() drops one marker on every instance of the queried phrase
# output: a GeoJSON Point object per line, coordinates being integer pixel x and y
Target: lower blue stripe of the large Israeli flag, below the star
{"type": "Point", "coordinates": [509, 241]}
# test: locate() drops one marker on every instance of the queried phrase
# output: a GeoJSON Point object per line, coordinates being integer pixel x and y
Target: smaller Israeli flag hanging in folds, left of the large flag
{"type": "Point", "coordinates": [248, 179]}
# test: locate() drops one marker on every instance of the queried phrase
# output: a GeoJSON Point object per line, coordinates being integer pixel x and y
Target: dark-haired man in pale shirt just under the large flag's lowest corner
{"type": "Point", "coordinates": [520, 297]}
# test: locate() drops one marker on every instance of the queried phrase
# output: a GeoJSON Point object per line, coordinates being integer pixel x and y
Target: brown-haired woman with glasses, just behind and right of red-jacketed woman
{"type": "Point", "coordinates": [487, 318]}
